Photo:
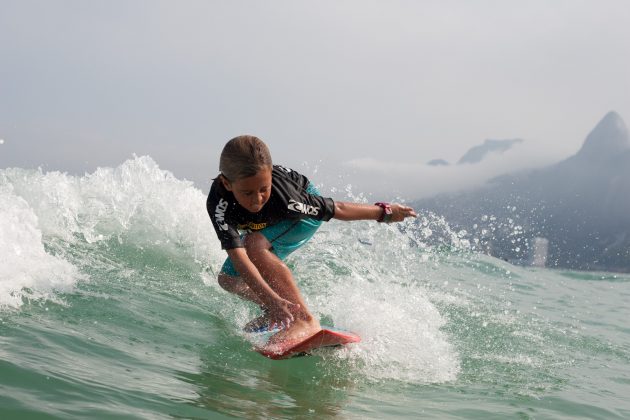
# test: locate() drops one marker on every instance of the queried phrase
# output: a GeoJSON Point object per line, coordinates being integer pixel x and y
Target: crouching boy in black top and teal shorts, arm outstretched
{"type": "Point", "coordinates": [263, 212]}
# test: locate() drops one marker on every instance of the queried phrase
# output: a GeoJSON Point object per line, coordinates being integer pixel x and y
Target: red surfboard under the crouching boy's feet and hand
{"type": "Point", "coordinates": [327, 337]}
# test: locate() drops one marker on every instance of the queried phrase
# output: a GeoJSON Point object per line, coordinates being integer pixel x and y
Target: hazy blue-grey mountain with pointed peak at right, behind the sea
{"type": "Point", "coordinates": [581, 206]}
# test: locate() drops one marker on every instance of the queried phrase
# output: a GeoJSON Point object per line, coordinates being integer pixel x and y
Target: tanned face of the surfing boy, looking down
{"type": "Point", "coordinates": [251, 193]}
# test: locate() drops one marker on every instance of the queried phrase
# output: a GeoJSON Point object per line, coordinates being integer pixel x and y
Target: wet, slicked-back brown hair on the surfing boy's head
{"type": "Point", "coordinates": [244, 156]}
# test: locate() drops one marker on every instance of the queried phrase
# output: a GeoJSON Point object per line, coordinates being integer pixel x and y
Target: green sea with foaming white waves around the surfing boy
{"type": "Point", "coordinates": [109, 309]}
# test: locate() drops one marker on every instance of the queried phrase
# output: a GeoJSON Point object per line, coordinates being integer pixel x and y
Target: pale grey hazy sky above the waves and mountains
{"type": "Point", "coordinates": [348, 91]}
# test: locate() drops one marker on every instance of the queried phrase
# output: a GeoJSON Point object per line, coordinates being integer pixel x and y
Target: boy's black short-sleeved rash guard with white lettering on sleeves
{"type": "Point", "coordinates": [289, 199]}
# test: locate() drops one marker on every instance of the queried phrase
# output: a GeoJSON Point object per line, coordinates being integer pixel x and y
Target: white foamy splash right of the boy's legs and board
{"type": "Point", "coordinates": [374, 290]}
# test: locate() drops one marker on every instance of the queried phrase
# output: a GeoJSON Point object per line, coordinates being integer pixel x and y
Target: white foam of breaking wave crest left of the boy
{"type": "Point", "coordinates": [136, 202]}
